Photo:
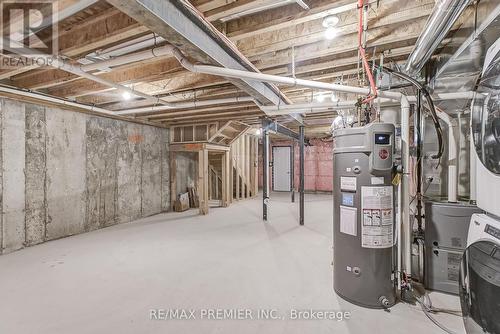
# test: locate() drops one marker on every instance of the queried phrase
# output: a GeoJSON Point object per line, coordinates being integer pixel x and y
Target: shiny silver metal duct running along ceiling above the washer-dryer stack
{"type": "Point", "coordinates": [445, 13]}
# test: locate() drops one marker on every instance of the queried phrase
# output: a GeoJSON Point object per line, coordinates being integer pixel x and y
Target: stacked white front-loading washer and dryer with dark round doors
{"type": "Point", "coordinates": [479, 279]}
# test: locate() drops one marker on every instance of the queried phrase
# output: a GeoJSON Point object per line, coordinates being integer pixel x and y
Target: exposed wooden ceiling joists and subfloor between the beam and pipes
{"type": "Point", "coordinates": [265, 38]}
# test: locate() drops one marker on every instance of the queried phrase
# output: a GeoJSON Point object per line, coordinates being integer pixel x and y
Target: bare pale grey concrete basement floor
{"type": "Point", "coordinates": [107, 281]}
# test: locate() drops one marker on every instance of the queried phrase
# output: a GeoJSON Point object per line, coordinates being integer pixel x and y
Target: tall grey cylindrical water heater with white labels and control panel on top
{"type": "Point", "coordinates": [363, 231]}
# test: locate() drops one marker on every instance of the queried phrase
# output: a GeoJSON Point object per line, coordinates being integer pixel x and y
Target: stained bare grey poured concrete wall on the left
{"type": "Point", "coordinates": [65, 173]}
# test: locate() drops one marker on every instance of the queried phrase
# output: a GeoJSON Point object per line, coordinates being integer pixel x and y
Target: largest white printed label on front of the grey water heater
{"type": "Point", "coordinates": [377, 230]}
